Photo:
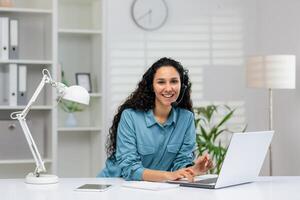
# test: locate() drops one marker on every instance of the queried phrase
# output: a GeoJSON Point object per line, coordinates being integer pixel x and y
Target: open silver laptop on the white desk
{"type": "Point", "coordinates": [244, 158]}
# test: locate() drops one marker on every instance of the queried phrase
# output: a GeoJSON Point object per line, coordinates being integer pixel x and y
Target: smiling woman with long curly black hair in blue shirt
{"type": "Point", "coordinates": [152, 138]}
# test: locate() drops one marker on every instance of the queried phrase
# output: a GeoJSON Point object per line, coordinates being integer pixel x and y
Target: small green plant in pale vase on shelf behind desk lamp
{"type": "Point", "coordinates": [69, 106]}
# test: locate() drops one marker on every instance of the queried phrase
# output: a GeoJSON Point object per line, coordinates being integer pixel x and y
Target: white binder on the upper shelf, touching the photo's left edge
{"type": "Point", "coordinates": [4, 38]}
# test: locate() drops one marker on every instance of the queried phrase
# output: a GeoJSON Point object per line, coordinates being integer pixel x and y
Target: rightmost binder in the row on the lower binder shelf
{"type": "Point", "coordinates": [22, 85]}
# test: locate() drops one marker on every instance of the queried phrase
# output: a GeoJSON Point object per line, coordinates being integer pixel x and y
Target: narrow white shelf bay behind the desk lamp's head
{"type": "Point", "coordinates": [80, 50]}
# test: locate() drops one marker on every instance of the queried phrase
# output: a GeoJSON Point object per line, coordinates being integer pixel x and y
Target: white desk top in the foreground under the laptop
{"type": "Point", "coordinates": [266, 188]}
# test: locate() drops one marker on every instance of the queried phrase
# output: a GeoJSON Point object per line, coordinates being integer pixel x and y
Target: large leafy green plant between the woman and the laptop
{"type": "Point", "coordinates": [209, 131]}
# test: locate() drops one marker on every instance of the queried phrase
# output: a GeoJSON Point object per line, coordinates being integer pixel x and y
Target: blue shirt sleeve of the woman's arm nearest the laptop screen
{"type": "Point", "coordinates": [186, 154]}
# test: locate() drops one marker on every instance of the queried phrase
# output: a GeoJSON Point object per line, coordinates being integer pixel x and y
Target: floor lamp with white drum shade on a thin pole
{"type": "Point", "coordinates": [271, 72]}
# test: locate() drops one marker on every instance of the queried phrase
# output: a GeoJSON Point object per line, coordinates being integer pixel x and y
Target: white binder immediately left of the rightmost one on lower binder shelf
{"type": "Point", "coordinates": [13, 71]}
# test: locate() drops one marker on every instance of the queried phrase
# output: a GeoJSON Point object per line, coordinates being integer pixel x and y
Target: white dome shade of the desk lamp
{"type": "Point", "coordinates": [77, 94]}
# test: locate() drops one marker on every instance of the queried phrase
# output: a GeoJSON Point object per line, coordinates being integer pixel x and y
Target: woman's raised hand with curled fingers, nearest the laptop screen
{"type": "Point", "coordinates": [202, 165]}
